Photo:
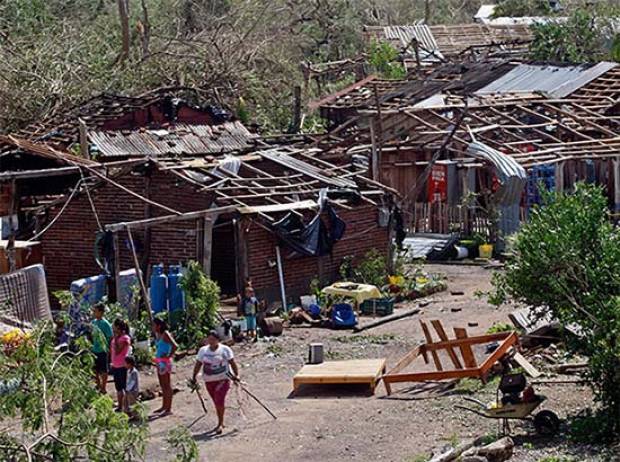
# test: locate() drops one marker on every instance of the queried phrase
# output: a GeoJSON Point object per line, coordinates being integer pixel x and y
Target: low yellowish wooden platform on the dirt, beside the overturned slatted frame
{"type": "Point", "coordinates": [356, 371]}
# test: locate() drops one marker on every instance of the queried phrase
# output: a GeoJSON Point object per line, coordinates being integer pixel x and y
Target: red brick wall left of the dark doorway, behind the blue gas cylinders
{"type": "Point", "coordinates": [68, 247]}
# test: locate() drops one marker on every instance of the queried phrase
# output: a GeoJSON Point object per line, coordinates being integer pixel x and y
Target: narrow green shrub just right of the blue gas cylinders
{"type": "Point", "coordinates": [202, 301]}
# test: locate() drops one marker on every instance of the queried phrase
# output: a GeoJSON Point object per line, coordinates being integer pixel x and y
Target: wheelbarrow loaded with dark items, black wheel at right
{"type": "Point", "coordinates": [516, 405]}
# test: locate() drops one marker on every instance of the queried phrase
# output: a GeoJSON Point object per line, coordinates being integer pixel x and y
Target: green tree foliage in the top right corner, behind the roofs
{"type": "Point", "coordinates": [584, 37]}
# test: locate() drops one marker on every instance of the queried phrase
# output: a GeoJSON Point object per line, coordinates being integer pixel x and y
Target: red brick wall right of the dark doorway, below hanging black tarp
{"type": "Point", "coordinates": [362, 234]}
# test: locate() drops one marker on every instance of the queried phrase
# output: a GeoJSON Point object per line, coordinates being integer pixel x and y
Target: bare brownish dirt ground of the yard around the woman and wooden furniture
{"type": "Point", "coordinates": [326, 423]}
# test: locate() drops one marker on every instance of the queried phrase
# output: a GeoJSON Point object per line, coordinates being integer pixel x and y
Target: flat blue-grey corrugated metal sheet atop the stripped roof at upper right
{"type": "Point", "coordinates": [556, 81]}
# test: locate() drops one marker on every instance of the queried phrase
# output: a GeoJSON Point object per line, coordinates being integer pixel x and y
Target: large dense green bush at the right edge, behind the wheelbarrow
{"type": "Point", "coordinates": [567, 260]}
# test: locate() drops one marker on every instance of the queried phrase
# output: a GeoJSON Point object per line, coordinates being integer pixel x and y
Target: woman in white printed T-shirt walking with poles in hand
{"type": "Point", "coordinates": [216, 360]}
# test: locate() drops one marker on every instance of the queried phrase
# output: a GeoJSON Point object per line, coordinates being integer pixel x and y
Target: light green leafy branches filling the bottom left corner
{"type": "Point", "coordinates": [60, 413]}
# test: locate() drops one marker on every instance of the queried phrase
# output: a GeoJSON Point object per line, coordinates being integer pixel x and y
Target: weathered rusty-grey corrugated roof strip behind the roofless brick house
{"type": "Point", "coordinates": [179, 139]}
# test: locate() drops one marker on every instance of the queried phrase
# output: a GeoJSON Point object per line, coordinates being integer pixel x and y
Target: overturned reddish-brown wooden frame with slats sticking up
{"type": "Point", "coordinates": [464, 364]}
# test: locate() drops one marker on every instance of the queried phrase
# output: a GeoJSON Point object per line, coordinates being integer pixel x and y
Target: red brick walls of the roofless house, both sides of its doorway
{"type": "Point", "coordinates": [68, 247]}
